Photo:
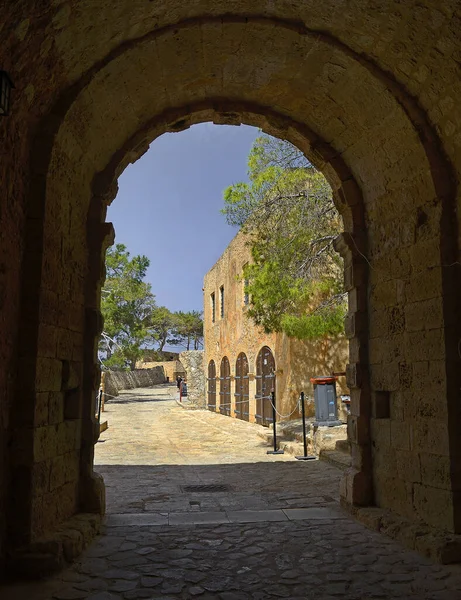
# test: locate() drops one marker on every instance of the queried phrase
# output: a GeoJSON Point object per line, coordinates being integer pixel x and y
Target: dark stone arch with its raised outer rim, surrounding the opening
{"type": "Point", "coordinates": [351, 125]}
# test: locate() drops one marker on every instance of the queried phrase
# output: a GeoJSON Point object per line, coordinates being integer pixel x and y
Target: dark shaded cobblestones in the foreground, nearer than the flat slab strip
{"type": "Point", "coordinates": [317, 559]}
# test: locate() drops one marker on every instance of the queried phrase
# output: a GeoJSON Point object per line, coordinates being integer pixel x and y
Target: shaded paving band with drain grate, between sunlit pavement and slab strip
{"type": "Point", "coordinates": [242, 486]}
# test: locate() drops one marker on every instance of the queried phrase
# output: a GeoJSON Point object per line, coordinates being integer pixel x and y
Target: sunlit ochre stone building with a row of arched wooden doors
{"type": "Point", "coordinates": [243, 364]}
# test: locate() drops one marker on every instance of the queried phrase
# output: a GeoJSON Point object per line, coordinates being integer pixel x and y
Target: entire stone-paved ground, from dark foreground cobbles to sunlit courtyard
{"type": "Point", "coordinates": [321, 553]}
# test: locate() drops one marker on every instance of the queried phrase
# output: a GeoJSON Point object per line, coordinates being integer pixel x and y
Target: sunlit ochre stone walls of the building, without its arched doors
{"type": "Point", "coordinates": [295, 361]}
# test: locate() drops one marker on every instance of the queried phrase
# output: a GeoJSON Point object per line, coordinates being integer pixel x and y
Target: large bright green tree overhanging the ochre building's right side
{"type": "Point", "coordinates": [287, 211]}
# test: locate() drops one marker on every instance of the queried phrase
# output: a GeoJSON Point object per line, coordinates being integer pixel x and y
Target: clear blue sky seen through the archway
{"type": "Point", "coordinates": [168, 207]}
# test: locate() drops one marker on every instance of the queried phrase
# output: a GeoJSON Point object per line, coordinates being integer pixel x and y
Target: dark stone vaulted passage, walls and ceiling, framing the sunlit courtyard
{"type": "Point", "coordinates": [367, 90]}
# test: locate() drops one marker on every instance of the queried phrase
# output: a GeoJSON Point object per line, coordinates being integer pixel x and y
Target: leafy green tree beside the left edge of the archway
{"type": "Point", "coordinates": [127, 303]}
